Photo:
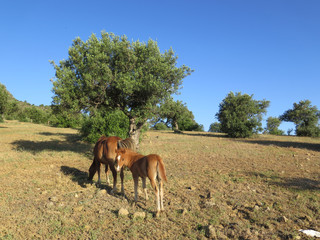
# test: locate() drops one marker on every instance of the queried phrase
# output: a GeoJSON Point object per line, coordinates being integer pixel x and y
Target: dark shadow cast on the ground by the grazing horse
{"type": "Point", "coordinates": [81, 177]}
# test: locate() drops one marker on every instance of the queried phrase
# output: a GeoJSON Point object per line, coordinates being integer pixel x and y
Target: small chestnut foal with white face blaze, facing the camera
{"type": "Point", "coordinates": [150, 166]}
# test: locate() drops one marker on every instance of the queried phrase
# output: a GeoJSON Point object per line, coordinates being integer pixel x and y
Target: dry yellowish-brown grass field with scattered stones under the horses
{"type": "Point", "coordinates": [259, 188]}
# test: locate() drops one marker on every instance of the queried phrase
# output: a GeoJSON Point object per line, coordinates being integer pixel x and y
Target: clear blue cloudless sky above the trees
{"type": "Point", "coordinates": [268, 48]}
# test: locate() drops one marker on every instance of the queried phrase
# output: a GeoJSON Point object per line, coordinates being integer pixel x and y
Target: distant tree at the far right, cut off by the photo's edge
{"type": "Point", "coordinates": [305, 116]}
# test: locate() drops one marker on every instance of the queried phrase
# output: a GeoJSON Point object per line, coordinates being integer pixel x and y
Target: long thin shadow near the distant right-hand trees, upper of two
{"type": "Point", "coordinates": [301, 145]}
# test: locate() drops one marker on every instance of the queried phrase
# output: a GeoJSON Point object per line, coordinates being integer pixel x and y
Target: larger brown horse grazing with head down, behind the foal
{"type": "Point", "coordinates": [104, 153]}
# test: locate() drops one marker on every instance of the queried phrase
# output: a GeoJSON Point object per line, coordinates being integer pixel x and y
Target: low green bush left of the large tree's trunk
{"type": "Point", "coordinates": [114, 123]}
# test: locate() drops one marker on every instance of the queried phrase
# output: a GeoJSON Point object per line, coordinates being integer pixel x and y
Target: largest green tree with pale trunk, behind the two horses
{"type": "Point", "coordinates": [114, 73]}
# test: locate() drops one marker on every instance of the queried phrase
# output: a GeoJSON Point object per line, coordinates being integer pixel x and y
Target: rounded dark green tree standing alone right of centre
{"type": "Point", "coordinates": [240, 115]}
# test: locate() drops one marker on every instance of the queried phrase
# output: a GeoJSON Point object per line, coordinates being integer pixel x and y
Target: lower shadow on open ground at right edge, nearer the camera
{"type": "Point", "coordinates": [296, 183]}
